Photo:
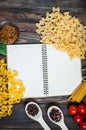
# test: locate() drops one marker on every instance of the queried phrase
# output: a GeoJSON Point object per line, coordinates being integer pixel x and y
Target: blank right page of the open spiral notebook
{"type": "Point", "coordinates": [64, 74]}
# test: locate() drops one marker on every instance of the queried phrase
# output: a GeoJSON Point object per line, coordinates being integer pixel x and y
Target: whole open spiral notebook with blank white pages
{"type": "Point", "coordinates": [44, 70]}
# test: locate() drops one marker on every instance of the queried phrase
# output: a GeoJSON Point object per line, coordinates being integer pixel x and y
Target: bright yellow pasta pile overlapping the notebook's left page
{"type": "Point", "coordinates": [11, 89]}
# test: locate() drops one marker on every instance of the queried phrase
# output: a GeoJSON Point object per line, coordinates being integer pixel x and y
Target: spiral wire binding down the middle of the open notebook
{"type": "Point", "coordinates": [45, 69]}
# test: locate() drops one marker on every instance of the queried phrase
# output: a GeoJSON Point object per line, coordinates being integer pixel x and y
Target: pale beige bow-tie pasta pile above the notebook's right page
{"type": "Point", "coordinates": [64, 32]}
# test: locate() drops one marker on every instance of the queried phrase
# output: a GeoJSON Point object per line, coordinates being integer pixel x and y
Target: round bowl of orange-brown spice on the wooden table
{"type": "Point", "coordinates": [8, 33]}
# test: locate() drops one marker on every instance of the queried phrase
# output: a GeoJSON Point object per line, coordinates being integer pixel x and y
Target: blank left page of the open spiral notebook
{"type": "Point", "coordinates": [27, 60]}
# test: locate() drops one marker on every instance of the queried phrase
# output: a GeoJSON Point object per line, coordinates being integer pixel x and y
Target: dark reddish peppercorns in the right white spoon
{"type": "Point", "coordinates": [55, 115]}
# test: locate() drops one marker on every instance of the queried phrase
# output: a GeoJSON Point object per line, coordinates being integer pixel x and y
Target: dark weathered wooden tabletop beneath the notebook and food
{"type": "Point", "coordinates": [26, 13]}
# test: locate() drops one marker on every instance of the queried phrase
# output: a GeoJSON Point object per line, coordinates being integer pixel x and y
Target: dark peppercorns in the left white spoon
{"type": "Point", "coordinates": [32, 109]}
